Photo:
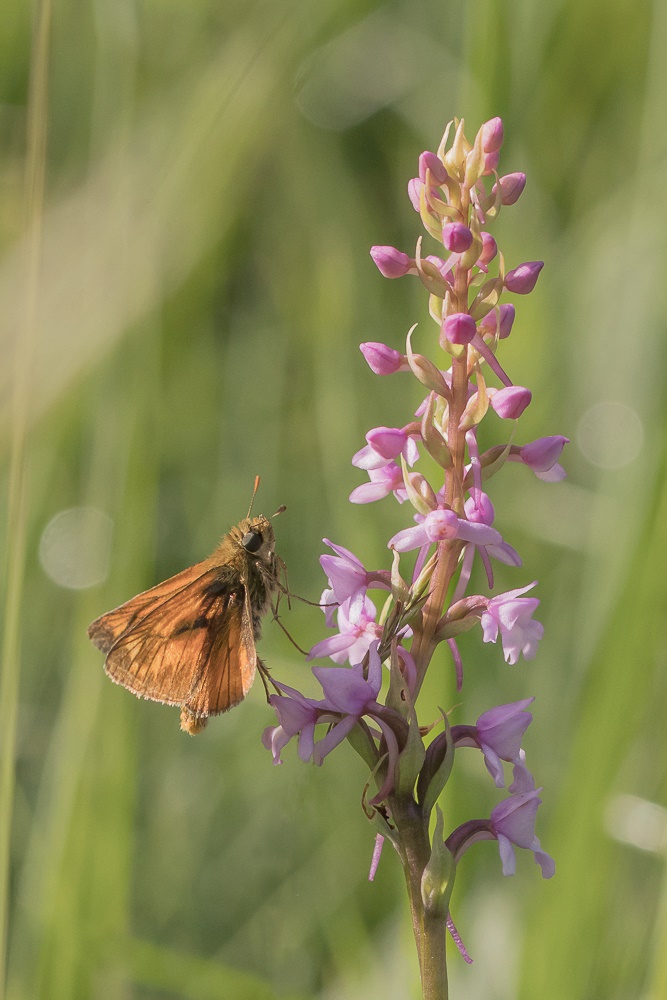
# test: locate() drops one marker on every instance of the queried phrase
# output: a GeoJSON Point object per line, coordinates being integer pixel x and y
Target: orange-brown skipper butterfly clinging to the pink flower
{"type": "Point", "coordinates": [190, 641]}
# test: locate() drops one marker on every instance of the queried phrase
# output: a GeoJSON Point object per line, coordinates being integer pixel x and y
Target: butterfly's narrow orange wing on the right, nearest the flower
{"type": "Point", "coordinates": [230, 666]}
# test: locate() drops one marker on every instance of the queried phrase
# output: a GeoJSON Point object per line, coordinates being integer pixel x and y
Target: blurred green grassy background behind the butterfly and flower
{"type": "Point", "coordinates": [216, 172]}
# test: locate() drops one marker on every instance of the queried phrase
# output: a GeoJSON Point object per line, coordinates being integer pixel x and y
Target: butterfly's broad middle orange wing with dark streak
{"type": "Point", "coordinates": [163, 655]}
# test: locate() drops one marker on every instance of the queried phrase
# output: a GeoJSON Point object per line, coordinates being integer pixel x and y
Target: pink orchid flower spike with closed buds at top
{"type": "Point", "coordinates": [457, 193]}
